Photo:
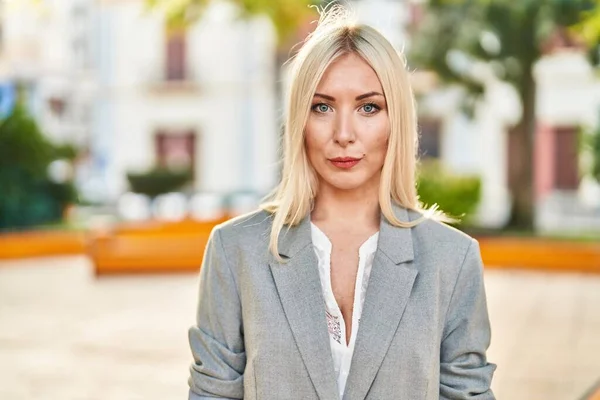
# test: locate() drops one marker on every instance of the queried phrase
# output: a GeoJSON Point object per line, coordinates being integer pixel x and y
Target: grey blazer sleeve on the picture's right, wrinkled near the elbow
{"type": "Point", "coordinates": [465, 372]}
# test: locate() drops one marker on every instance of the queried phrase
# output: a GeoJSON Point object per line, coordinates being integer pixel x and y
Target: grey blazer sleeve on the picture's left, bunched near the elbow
{"type": "Point", "coordinates": [217, 340]}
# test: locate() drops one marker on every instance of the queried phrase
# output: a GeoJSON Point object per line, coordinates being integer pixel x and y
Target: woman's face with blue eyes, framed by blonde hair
{"type": "Point", "coordinates": [347, 131]}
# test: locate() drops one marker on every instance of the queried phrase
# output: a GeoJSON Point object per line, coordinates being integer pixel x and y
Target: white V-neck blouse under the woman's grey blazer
{"type": "Point", "coordinates": [342, 353]}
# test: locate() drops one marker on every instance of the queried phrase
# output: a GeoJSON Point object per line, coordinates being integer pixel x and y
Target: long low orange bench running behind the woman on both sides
{"type": "Point", "coordinates": [155, 246]}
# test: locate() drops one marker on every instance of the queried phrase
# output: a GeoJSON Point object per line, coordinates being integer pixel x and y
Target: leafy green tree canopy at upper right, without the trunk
{"type": "Point", "coordinates": [508, 35]}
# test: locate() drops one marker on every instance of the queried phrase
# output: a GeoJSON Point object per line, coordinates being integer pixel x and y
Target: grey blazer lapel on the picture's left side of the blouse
{"type": "Point", "coordinates": [299, 288]}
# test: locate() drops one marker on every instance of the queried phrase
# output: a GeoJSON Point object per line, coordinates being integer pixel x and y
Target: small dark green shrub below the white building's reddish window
{"type": "Point", "coordinates": [159, 181]}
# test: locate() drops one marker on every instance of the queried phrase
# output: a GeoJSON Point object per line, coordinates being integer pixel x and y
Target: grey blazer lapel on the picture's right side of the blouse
{"type": "Point", "coordinates": [389, 289]}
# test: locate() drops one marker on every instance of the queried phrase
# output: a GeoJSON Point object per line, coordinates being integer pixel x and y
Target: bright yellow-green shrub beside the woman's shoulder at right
{"type": "Point", "coordinates": [456, 195]}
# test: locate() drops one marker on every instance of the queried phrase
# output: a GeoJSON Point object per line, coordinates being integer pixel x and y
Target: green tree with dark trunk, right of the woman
{"type": "Point", "coordinates": [510, 36]}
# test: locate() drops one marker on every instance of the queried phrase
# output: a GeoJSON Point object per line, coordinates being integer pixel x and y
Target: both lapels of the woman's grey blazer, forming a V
{"type": "Point", "coordinates": [300, 291]}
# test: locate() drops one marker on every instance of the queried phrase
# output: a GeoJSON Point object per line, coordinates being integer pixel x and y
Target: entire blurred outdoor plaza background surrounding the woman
{"type": "Point", "coordinates": [129, 128]}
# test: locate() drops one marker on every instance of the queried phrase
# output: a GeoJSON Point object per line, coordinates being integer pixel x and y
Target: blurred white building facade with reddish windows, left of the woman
{"type": "Point", "coordinates": [110, 78]}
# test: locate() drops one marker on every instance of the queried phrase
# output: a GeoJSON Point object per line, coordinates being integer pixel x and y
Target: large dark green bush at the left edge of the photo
{"type": "Point", "coordinates": [27, 196]}
